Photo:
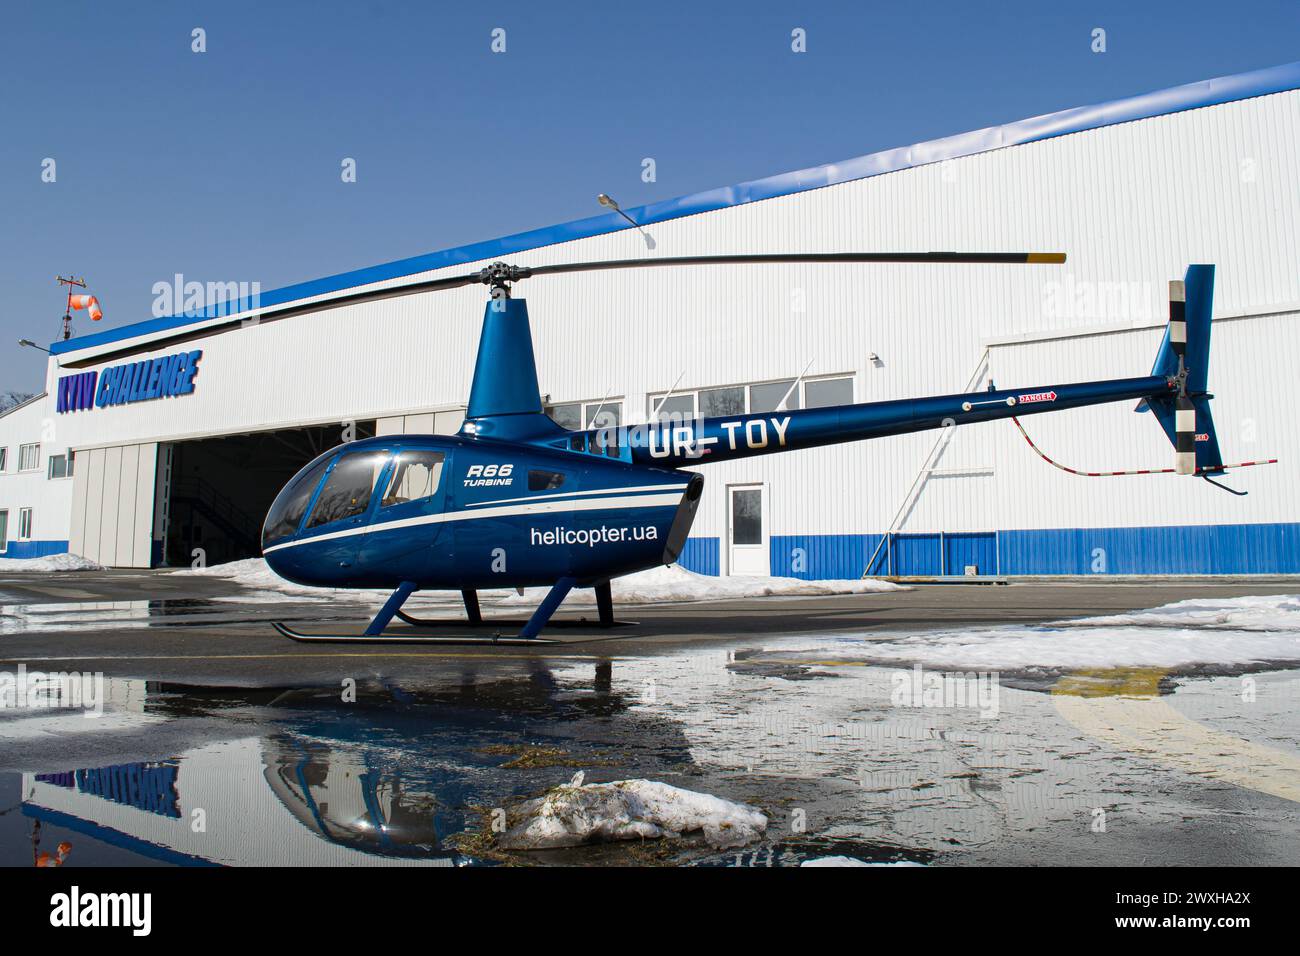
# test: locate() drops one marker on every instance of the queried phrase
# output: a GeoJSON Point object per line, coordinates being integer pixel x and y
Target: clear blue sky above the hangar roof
{"type": "Point", "coordinates": [226, 166]}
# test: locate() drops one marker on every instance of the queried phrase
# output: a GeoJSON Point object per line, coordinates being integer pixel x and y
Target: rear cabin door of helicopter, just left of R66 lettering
{"type": "Point", "coordinates": [414, 494]}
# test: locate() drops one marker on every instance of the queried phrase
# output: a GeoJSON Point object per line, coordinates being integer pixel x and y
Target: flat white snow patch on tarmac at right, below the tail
{"type": "Point", "coordinates": [1233, 633]}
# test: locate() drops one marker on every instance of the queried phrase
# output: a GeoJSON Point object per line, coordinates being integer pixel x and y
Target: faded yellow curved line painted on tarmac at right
{"type": "Point", "coordinates": [1141, 723]}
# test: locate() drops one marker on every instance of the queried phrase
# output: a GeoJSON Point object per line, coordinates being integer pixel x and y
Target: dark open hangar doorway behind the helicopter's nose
{"type": "Point", "coordinates": [214, 494]}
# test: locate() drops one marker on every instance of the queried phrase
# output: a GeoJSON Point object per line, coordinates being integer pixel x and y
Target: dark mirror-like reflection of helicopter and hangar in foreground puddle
{"type": "Point", "coordinates": [387, 780]}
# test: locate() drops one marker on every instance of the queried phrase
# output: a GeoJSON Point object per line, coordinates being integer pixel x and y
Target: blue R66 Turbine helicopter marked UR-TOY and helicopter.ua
{"type": "Point", "coordinates": [514, 500]}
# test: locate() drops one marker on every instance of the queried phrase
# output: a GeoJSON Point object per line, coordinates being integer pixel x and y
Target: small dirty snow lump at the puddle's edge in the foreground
{"type": "Point", "coordinates": [629, 811]}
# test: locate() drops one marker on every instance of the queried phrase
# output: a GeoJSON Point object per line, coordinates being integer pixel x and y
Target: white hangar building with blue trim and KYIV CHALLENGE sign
{"type": "Point", "coordinates": [1132, 191]}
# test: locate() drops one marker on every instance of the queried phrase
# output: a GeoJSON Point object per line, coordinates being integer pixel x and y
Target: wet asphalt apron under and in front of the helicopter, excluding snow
{"type": "Point", "coordinates": [211, 711]}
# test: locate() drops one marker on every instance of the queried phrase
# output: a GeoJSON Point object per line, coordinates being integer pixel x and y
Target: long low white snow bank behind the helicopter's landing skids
{"type": "Point", "coordinates": [657, 586]}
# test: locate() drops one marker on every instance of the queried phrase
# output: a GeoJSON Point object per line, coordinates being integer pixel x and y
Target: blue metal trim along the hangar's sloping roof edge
{"type": "Point", "coordinates": [1207, 93]}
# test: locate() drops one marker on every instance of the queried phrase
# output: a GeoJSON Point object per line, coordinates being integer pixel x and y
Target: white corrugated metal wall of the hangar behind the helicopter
{"type": "Point", "coordinates": [1133, 205]}
